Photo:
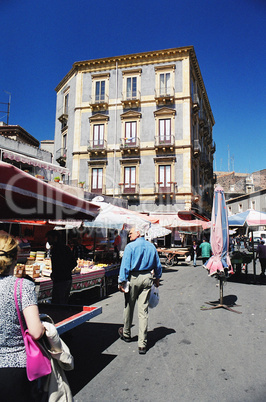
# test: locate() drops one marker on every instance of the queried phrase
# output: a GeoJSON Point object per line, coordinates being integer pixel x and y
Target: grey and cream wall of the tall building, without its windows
{"type": "Point", "coordinates": [79, 84]}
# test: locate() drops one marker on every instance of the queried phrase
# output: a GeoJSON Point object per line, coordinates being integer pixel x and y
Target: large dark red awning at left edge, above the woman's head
{"type": "Point", "coordinates": [22, 196]}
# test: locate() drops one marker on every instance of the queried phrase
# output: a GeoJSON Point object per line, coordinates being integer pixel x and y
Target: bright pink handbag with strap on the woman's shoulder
{"type": "Point", "coordinates": [38, 363]}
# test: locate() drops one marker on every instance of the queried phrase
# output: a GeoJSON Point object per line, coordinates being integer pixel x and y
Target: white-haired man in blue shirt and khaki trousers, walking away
{"type": "Point", "coordinates": [139, 264]}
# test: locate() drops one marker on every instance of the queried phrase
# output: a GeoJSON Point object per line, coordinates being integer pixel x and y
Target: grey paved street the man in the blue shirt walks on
{"type": "Point", "coordinates": [193, 355]}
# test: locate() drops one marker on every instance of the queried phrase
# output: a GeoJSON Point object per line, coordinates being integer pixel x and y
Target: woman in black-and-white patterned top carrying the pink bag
{"type": "Point", "coordinates": [14, 384]}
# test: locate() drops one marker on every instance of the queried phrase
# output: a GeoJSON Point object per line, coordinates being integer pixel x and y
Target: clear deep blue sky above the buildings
{"type": "Point", "coordinates": [40, 41]}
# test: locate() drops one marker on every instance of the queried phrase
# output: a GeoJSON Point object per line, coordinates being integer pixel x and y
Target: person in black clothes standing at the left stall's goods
{"type": "Point", "coordinates": [63, 261]}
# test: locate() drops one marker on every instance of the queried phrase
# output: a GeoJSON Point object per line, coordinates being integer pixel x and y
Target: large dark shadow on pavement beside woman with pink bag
{"type": "Point", "coordinates": [86, 343]}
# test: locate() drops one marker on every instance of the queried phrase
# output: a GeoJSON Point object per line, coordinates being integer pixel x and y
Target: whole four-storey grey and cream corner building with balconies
{"type": "Point", "coordinates": [139, 127]}
